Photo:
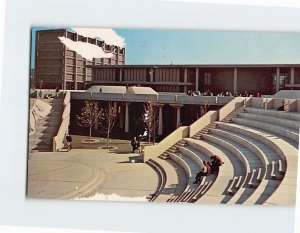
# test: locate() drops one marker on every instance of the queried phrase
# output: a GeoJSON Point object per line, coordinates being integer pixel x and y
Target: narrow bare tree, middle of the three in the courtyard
{"type": "Point", "coordinates": [109, 119]}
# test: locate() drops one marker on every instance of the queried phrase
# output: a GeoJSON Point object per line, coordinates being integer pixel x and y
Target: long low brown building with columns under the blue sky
{"type": "Point", "coordinates": [262, 78]}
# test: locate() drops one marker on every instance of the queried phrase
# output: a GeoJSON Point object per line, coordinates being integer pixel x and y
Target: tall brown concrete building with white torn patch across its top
{"type": "Point", "coordinates": [58, 66]}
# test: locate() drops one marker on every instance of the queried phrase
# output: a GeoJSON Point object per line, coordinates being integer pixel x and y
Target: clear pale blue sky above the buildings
{"type": "Point", "coordinates": [207, 47]}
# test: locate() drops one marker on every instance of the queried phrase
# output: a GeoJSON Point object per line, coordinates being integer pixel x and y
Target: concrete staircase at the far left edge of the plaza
{"type": "Point", "coordinates": [47, 127]}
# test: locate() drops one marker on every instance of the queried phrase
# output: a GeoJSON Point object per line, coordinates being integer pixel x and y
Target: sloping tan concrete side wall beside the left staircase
{"type": "Point", "coordinates": [59, 139]}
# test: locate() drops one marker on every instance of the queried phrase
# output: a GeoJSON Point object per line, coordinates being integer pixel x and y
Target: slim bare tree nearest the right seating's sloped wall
{"type": "Point", "coordinates": [151, 120]}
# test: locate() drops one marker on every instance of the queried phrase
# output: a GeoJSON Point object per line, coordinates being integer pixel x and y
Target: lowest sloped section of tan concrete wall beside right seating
{"type": "Point", "coordinates": [156, 150]}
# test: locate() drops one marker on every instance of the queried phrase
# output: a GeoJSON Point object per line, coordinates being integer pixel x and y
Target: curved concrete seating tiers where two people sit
{"type": "Point", "coordinates": [259, 148]}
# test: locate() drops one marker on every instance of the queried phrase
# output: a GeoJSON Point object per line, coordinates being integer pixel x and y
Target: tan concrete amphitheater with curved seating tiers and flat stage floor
{"type": "Point", "coordinates": [257, 143]}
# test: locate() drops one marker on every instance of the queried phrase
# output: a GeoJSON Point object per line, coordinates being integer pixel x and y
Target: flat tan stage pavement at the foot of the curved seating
{"type": "Point", "coordinates": [89, 171]}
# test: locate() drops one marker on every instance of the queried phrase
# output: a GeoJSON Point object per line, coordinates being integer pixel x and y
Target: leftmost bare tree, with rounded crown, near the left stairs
{"type": "Point", "coordinates": [91, 114]}
